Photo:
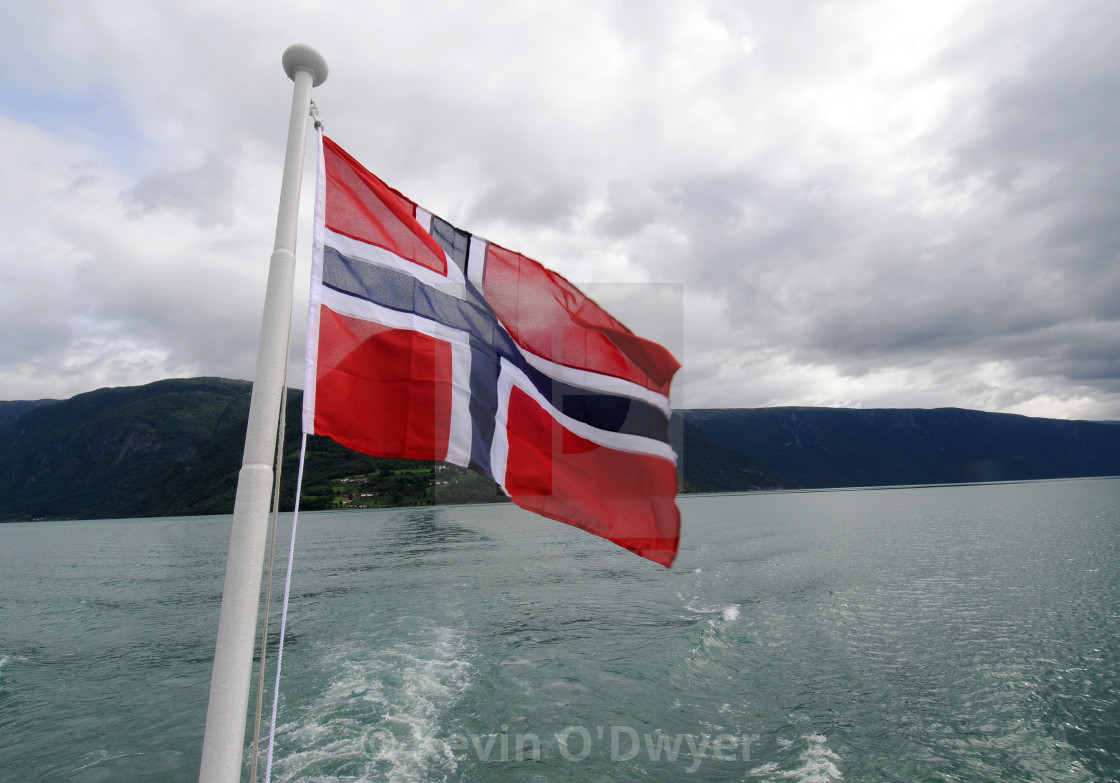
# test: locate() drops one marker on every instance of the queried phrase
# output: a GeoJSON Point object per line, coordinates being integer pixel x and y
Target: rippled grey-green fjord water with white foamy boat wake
{"type": "Point", "coordinates": [964, 633]}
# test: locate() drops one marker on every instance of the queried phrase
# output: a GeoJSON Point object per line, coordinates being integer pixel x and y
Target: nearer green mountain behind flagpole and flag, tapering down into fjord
{"type": "Point", "coordinates": [175, 448]}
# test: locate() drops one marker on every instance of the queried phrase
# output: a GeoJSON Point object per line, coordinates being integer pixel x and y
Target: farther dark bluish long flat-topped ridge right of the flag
{"type": "Point", "coordinates": [827, 448]}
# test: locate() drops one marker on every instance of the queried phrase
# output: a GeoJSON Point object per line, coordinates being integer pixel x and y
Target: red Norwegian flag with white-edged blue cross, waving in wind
{"type": "Point", "coordinates": [426, 342]}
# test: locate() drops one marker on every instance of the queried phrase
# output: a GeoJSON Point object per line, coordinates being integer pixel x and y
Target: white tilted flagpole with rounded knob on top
{"type": "Point", "coordinates": [234, 657]}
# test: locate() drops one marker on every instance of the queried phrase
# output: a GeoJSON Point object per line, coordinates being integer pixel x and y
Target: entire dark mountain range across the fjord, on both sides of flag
{"type": "Point", "coordinates": [174, 448]}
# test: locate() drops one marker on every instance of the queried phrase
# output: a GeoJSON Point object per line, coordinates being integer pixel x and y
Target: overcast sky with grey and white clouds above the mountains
{"type": "Point", "coordinates": [857, 203]}
